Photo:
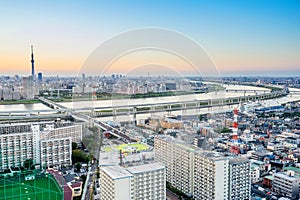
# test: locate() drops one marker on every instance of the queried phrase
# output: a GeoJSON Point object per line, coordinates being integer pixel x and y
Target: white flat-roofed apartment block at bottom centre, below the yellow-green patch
{"type": "Point", "coordinates": [146, 181]}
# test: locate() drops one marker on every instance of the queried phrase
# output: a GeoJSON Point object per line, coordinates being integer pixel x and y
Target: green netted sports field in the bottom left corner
{"type": "Point", "coordinates": [45, 188]}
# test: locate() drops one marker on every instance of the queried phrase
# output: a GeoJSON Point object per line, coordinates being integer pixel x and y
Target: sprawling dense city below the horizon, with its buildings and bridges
{"type": "Point", "coordinates": [246, 149]}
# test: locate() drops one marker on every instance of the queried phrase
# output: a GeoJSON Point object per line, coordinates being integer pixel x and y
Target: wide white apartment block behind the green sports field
{"type": "Point", "coordinates": [47, 143]}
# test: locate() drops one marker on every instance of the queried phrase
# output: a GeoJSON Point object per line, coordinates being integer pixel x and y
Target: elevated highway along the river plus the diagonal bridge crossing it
{"type": "Point", "coordinates": [88, 114]}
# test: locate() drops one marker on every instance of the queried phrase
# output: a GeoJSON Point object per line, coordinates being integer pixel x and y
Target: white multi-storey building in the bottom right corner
{"type": "Point", "coordinates": [286, 184]}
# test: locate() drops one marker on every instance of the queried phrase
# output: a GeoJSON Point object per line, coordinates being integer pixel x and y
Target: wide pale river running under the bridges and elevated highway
{"type": "Point", "coordinates": [155, 100]}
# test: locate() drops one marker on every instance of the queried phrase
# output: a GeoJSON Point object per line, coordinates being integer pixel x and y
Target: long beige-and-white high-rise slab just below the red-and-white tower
{"type": "Point", "coordinates": [203, 174]}
